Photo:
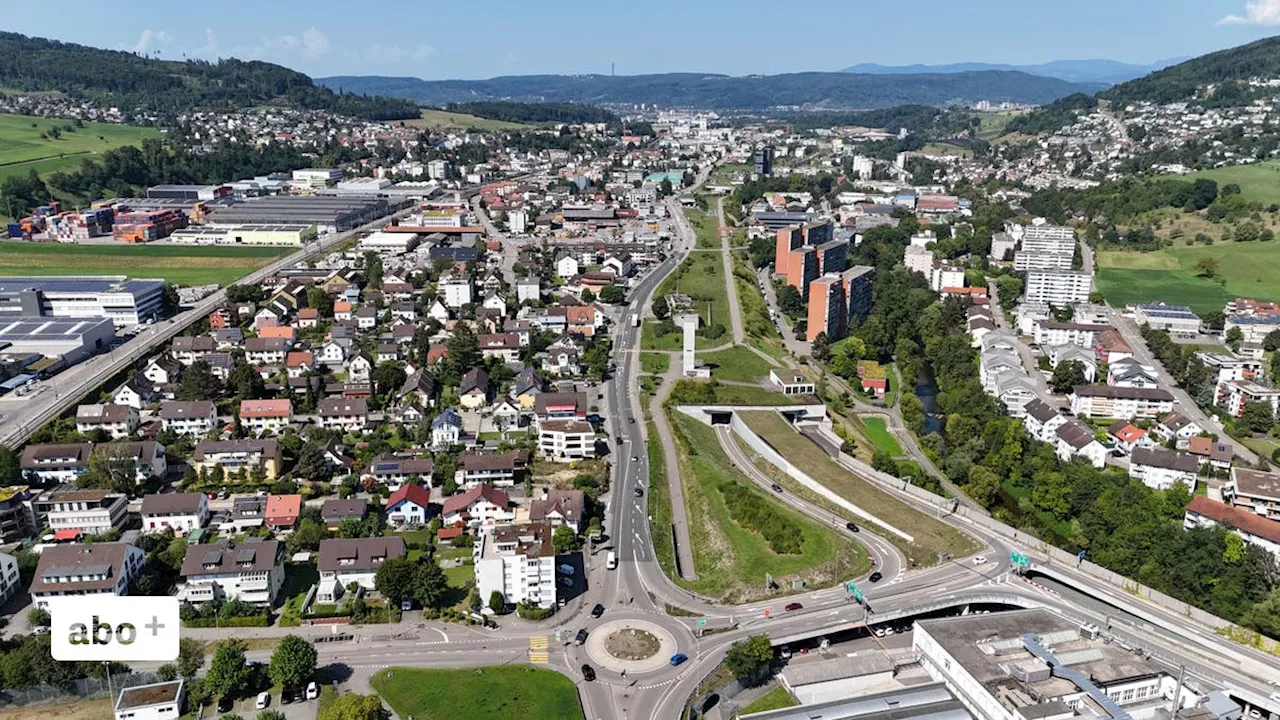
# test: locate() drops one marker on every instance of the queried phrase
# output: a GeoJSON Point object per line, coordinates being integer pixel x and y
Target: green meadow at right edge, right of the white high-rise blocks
{"type": "Point", "coordinates": [1246, 270]}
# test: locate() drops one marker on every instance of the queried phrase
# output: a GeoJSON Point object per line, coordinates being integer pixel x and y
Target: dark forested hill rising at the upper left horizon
{"type": "Point", "coordinates": [132, 83]}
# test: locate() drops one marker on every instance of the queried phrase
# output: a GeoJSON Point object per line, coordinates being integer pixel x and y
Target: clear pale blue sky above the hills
{"type": "Point", "coordinates": [437, 40]}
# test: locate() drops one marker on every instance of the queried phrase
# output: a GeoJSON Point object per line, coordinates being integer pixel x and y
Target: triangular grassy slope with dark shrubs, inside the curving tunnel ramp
{"type": "Point", "coordinates": [724, 508]}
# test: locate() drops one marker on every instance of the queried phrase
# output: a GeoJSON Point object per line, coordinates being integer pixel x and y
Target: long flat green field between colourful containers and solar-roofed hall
{"type": "Point", "coordinates": [173, 263]}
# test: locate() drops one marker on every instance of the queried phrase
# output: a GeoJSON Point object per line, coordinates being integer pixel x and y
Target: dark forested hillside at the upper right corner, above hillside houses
{"type": "Point", "coordinates": [1186, 81]}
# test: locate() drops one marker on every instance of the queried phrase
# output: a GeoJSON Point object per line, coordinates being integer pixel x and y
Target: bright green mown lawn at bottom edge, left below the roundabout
{"type": "Point", "coordinates": [510, 692]}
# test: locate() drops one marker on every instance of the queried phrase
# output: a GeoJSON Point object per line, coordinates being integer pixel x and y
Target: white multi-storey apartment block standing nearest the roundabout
{"type": "Point", "coordinates": [518, 562]}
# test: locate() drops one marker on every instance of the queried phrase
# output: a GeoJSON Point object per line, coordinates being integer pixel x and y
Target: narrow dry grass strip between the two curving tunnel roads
{"type": "Point", "coordinates": [931, 535]}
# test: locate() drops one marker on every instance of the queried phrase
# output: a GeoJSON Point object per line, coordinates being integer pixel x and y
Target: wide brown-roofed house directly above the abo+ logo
{"type": "Point", "coordinates": [100, 568]}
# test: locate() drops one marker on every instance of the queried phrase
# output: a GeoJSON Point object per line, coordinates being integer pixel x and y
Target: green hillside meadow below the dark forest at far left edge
{"type": "Point", "coordinates": [24, 151]}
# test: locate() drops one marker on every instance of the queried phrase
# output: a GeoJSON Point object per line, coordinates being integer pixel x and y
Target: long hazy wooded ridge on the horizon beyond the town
{"type": "Point", "coordinates": [844, 92]}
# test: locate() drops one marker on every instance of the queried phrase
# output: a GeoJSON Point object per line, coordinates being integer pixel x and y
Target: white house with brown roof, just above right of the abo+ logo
{"type": "Point", "coordinates": [253, 572]}
